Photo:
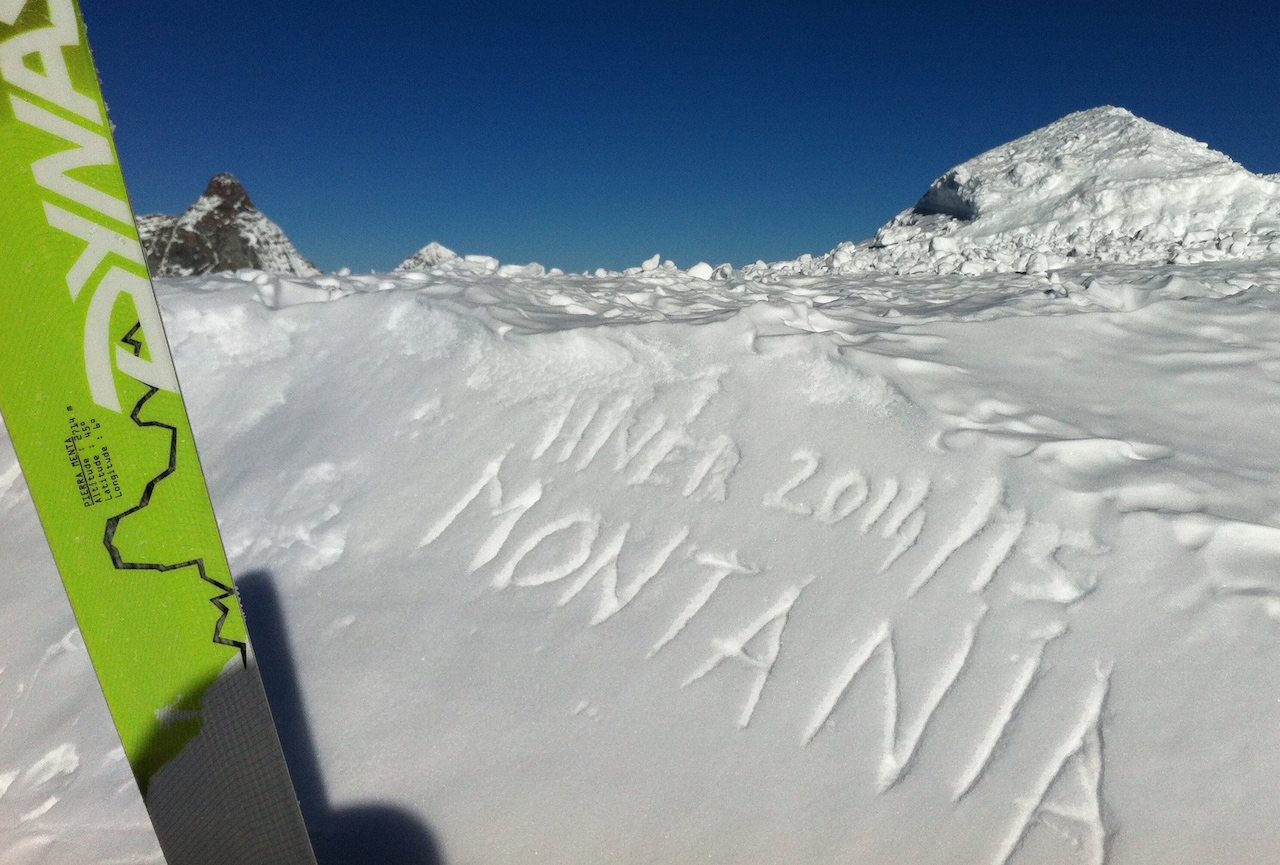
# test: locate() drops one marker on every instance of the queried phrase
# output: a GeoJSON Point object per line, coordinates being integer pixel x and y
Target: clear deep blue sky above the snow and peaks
{"type": "Point", "coordinates": [586, 135]}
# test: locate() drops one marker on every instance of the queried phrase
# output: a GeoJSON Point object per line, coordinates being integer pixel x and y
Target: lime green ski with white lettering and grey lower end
{"type": "Point", "coordinates": [92, 401]}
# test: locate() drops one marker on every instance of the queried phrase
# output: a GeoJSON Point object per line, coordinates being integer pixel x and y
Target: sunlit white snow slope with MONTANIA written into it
{"type": "Point", "coordinates": [657, 569]}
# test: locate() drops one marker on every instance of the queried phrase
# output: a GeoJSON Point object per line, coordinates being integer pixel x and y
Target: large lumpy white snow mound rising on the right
{"type": "Point", "coordinates": [1100, 185]}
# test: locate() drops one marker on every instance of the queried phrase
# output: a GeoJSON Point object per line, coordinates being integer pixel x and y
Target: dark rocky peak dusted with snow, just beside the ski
{"type": "Point", "coordinates": [222, 232]}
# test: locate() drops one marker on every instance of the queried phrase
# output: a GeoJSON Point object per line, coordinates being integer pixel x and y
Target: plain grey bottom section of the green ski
{"type": "Point", "coordinates": [227, 798]}
